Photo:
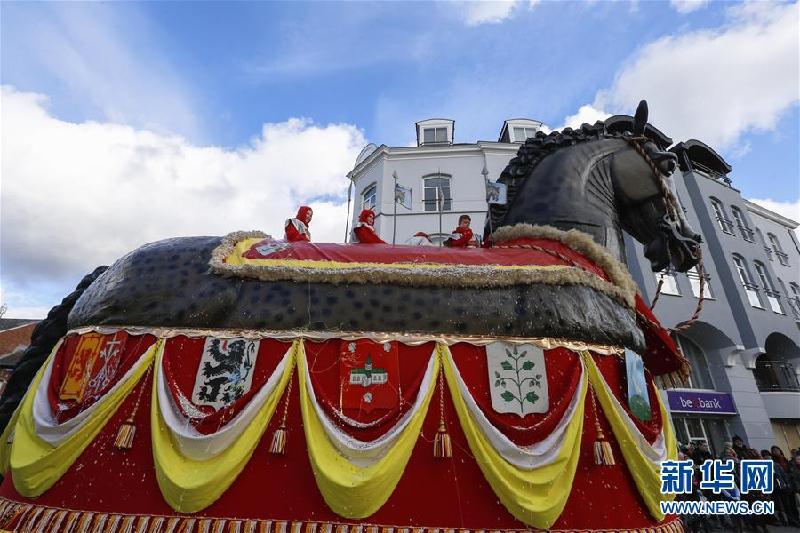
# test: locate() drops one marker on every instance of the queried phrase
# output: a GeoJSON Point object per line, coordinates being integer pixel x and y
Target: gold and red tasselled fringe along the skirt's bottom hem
{"type": "Point", "coordinates": [23, 517]}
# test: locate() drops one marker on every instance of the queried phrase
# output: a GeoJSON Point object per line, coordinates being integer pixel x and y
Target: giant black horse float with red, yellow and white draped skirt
{"type": "Point", "coordinates": [248, 384]}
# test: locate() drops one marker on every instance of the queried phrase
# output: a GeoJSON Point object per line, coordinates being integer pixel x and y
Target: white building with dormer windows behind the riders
{"type": "Point", "coordinates": [436, 169]}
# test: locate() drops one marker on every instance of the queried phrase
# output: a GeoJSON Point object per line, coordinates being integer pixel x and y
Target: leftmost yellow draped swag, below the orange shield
{"type": "Point", "coordinates": [35, 464]}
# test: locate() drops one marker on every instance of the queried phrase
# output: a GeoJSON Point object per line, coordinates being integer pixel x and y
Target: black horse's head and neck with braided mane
{"type": "Point", "coordinates": [601, 180]}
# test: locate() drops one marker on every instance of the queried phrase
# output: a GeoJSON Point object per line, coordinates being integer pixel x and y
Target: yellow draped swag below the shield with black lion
{"type": "Point", "coordinates": [189, 485]}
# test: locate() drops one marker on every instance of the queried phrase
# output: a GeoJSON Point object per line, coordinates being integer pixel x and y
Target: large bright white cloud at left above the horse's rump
{"type": "Point", "coordinates": [79, 195]}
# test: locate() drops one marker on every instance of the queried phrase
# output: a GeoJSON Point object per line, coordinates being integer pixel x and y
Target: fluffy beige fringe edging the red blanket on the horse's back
{"type": "Point", "coordinates": [621, 288]}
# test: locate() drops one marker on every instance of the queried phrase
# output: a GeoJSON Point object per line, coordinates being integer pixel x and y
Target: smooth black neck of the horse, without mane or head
{"type": "Point", "coordinates": [573, 189]}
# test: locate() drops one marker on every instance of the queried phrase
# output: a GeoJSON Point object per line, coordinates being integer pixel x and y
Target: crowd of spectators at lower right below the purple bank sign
{"type": "Point", "coordinates": [785, 494]}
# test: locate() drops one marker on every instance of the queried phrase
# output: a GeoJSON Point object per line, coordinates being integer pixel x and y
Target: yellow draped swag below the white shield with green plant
{"type": "Point", "coordinates": [538, 496]}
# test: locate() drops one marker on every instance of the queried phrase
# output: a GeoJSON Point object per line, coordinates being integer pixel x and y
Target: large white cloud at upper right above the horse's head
{"type": "Point", "coordinates": [716, 85]}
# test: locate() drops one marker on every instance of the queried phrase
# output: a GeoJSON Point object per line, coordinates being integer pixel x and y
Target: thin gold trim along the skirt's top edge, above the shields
{"type": "Point", "coordinates": [546, 343]}
